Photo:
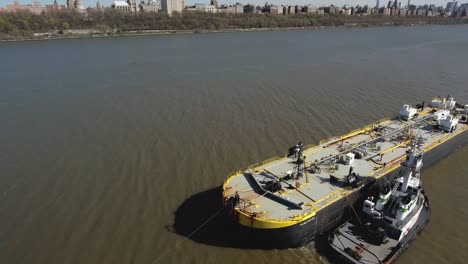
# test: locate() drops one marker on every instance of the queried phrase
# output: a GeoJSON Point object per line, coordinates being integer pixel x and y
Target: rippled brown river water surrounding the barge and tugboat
{"type": "Point", "coordinates": [103, 140]}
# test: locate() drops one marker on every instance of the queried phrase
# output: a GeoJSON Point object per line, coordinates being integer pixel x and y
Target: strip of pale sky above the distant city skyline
{"type": "Point", "coordinates": [87, 3]}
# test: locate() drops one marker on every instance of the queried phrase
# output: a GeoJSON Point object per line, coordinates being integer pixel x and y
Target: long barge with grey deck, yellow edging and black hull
{"type": "Point", "coordinates": [289, 201]}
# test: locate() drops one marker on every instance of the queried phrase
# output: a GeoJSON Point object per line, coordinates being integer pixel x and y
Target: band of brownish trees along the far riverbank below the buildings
{"type": "Point", "coordinates": [25, 25]}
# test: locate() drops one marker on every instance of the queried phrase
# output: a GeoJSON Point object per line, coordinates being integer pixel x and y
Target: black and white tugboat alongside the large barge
{"type": "Point", "coordinates": [387, 224]}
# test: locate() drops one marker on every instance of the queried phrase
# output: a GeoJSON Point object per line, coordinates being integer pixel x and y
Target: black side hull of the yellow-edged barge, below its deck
{"type": "Point", "coordinates": [338, 212]}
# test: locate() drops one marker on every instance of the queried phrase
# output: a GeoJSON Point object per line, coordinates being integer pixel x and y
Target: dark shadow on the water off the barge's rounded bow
{"type": "Point", "coordinates": [220, 230]}
